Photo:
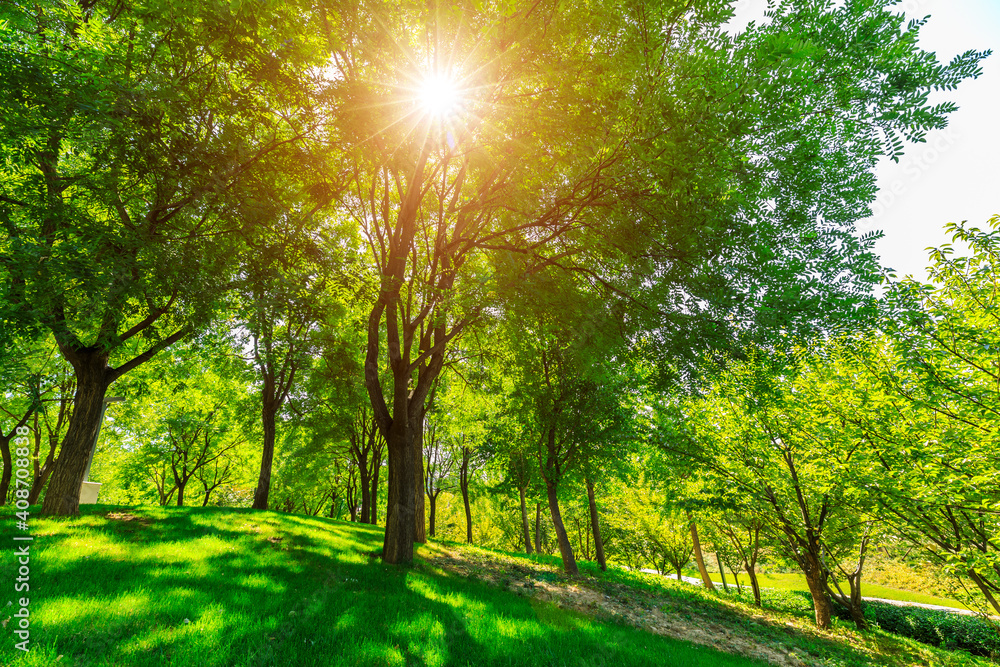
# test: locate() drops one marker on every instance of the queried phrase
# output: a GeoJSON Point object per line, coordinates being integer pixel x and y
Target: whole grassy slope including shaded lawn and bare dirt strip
{"type": "Point", "coordinates": [209, 586]}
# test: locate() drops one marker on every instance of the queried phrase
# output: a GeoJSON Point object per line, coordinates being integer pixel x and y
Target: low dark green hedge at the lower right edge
{"type": "Point", "coordinates": [938, 628]}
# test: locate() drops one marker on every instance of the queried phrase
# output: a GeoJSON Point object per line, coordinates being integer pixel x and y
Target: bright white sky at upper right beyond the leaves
{"type": "Point", "coordinates": [955, 175]}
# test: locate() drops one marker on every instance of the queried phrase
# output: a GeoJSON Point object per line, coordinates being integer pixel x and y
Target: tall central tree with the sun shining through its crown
{"type": "Point", "coordinates": [435, 196]}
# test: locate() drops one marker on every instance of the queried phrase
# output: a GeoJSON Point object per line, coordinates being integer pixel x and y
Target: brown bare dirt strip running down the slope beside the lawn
{"type": "Point", "coordinates": [624, 604]}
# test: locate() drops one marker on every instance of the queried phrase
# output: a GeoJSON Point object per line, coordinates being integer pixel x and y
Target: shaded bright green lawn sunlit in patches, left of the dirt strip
{"type": "Point", "coordinates": [212, 587]}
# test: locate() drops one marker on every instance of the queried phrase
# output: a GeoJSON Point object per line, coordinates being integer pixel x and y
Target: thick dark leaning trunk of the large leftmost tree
{"type": "Point", "coordinates": [92, 373]}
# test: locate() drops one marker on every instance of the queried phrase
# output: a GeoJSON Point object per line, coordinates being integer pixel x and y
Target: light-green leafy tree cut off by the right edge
{"type": "Point", "coordinates": [925, 397]}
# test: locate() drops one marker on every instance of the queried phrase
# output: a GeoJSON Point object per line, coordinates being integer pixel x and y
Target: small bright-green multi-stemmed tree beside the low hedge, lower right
{"type": "Point", "coordinates": [790, 456]}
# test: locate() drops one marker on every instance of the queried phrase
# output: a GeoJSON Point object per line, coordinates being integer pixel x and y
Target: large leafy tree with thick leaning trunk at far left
{"type": "Point", "coordinates": [117, 234]}
